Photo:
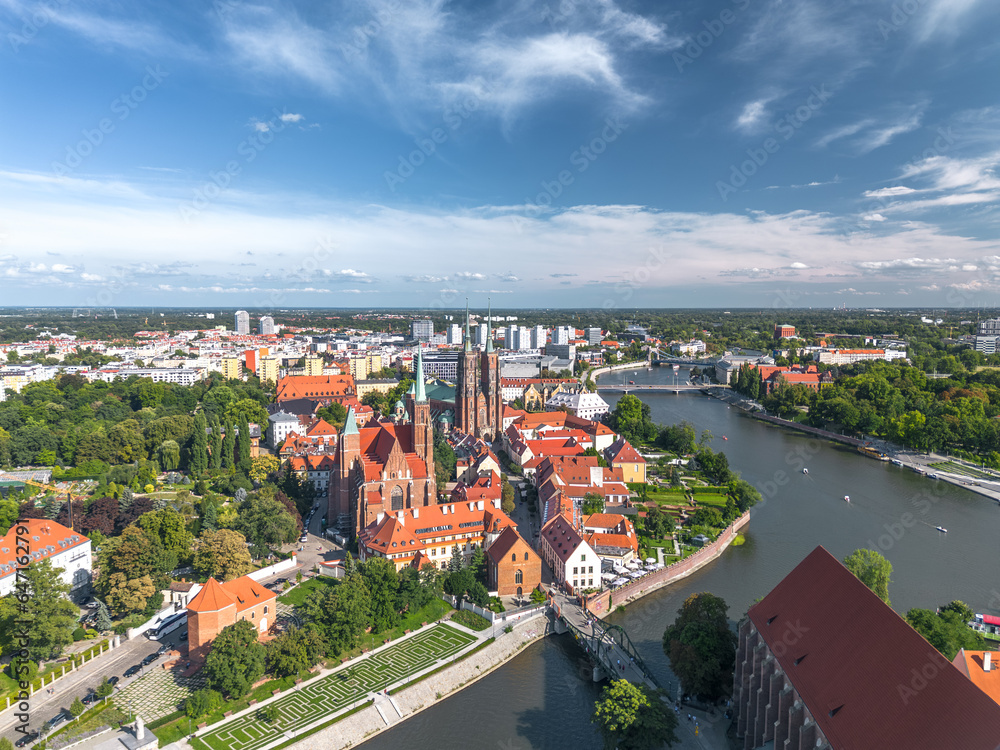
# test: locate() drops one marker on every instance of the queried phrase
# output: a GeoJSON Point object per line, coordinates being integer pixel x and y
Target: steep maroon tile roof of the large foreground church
{"type": "Point", "coordinates": [855, 663]}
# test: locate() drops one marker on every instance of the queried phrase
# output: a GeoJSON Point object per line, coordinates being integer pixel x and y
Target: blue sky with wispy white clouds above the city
{"type": "Point", "coordinates": [566, 154]}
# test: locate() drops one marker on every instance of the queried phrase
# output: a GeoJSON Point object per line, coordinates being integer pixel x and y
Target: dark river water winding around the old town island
{"type": "Point", "coordinates": [542, 699]}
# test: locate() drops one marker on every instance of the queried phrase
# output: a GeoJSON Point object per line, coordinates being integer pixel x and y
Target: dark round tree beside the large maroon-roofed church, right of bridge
{"type": "Point", "coordinates": [701, 647]}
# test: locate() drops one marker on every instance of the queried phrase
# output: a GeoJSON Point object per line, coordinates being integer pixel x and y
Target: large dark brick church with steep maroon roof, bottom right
{"type": "Point", "coordinates": [823, 663]}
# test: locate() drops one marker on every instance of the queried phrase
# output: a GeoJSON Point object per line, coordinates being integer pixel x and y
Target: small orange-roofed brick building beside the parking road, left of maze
{"type": "Point", "coordinates": [220, 604]}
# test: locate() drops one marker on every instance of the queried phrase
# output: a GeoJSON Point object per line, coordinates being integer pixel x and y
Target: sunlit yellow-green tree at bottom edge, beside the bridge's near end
{"type": "Point", "coordinates": [630, 717]}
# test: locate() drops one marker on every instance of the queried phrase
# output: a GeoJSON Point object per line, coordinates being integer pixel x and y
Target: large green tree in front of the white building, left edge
{"type": "Point", "coordinates": [39, 611]}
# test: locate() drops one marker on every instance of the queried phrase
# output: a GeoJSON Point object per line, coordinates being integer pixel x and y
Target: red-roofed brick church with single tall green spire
{"type": "Point", "coordinates": [387, 465]}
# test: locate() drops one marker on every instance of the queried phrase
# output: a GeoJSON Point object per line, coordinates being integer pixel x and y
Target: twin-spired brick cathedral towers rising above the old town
{"type": "Point", "coordinates": [478, 397]}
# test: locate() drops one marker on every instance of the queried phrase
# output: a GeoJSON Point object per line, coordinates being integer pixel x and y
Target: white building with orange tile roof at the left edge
{"type": "Point", "coordinates": [46, 540]}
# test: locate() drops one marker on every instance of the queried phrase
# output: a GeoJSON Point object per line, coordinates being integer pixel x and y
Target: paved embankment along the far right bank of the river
{"type": "Point", "coordinates": [921, 463]}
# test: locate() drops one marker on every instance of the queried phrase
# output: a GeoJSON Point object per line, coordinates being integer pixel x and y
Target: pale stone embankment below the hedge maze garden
{"type": "Point", "coordinates": [409, 701]}
